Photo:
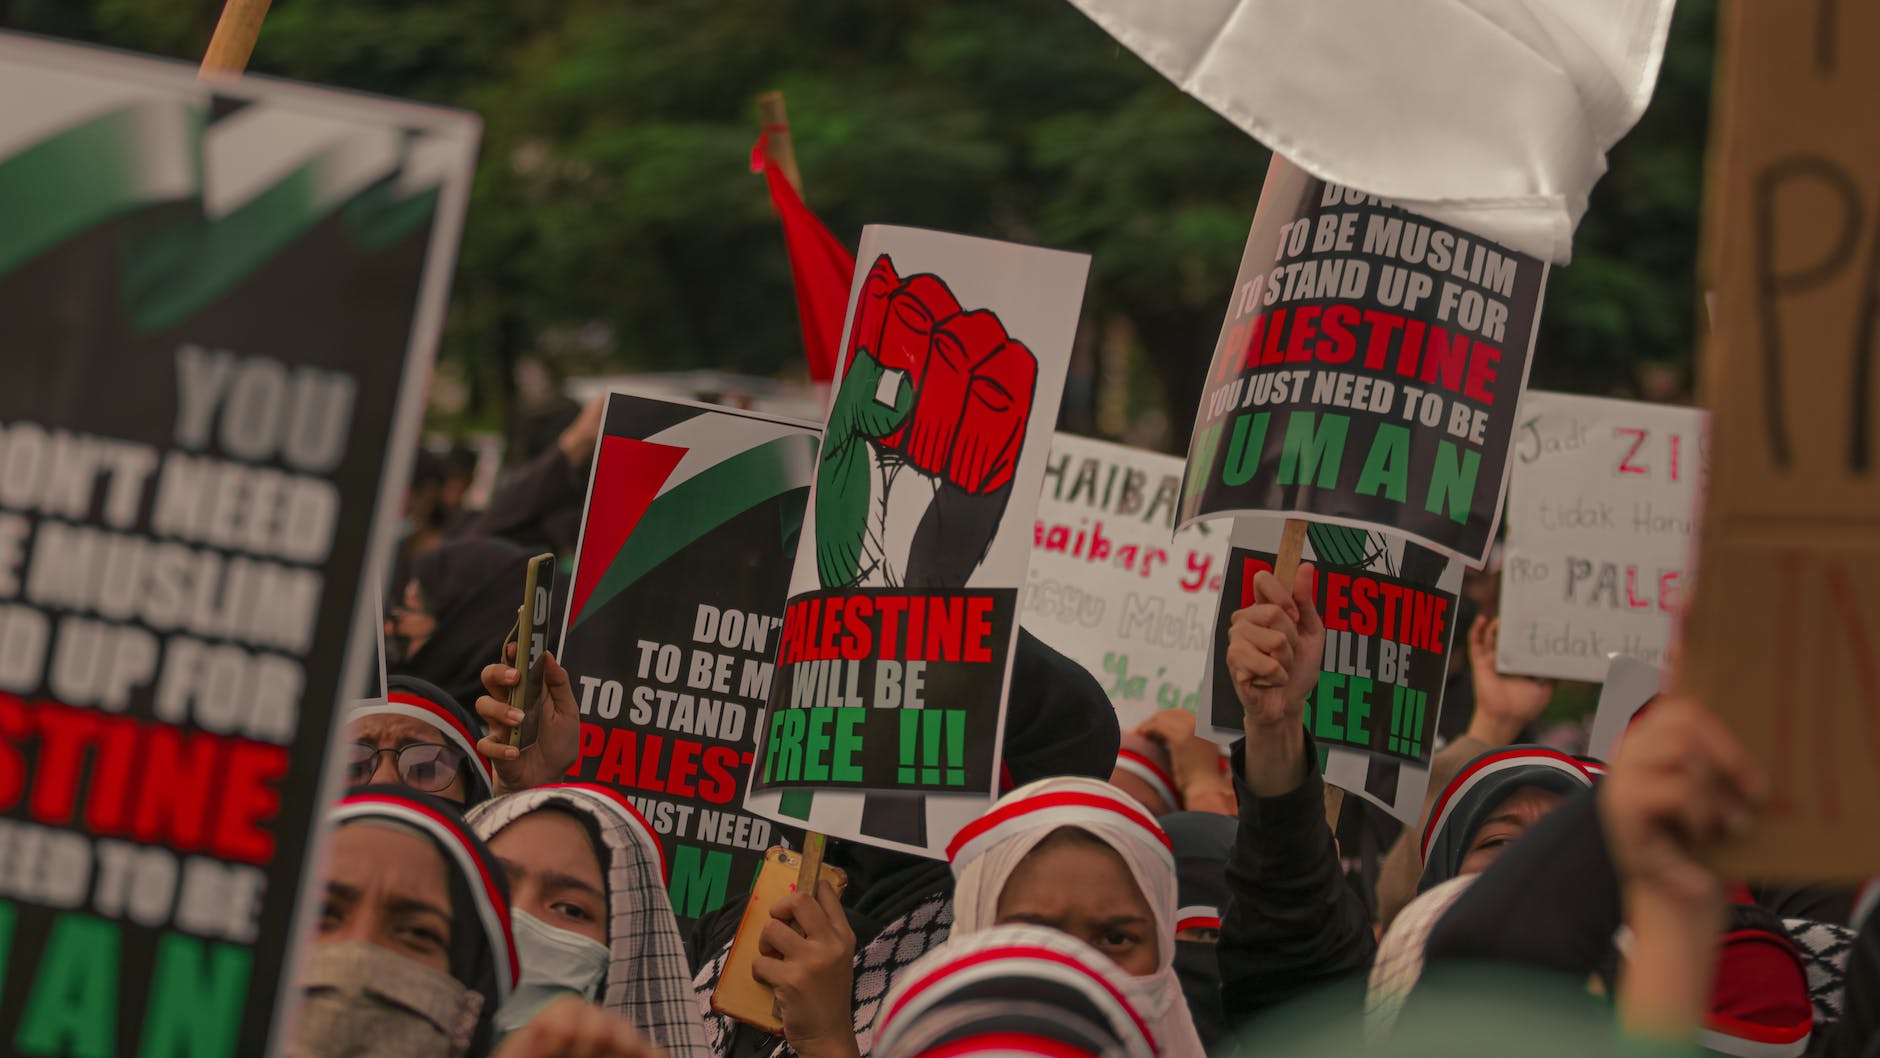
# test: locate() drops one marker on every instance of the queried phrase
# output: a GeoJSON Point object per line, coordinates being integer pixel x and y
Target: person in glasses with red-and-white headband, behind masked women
{"type": "Point", "coordinates": [418, 738]}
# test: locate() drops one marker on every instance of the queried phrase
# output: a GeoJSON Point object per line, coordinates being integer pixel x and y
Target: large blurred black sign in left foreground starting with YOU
{"type": "Point", "coordinates": [221, 309]}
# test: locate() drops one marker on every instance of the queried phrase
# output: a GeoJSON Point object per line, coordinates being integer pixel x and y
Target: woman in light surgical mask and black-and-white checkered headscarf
{"type": "Point", "coordinates": [591, 910]}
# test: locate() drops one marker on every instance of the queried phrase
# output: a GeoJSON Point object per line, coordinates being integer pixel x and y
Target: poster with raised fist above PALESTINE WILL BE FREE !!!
{"type": "Point", "coordinates": [898, 642]}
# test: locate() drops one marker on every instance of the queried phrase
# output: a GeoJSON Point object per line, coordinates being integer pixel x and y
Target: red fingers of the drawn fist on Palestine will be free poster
{"type": "Point", "coordinates": [973, 382]}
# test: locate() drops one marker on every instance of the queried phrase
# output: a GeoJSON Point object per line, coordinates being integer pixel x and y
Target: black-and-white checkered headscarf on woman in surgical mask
{"type": "Point", "coordinates": [648, 974]}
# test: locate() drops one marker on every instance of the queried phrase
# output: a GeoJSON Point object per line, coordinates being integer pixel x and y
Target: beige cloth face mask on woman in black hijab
{"type": "Point", "coordinates": [360, 1001]}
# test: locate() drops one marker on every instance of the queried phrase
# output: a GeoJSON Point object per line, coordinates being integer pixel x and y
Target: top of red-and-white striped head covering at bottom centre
{"type": "Point", "coordinates": [1014, 991]}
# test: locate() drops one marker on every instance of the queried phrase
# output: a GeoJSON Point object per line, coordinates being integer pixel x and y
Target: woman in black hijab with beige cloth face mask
{"type": "Point", "coordinates": [415, 954]}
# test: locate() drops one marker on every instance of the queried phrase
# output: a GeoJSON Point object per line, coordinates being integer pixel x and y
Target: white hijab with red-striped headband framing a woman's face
{"type": "Point", "coordinates": [990, 848]}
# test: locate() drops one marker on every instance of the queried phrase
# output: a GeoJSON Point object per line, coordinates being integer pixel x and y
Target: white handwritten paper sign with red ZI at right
{"type": "Point", "coordinates": [1603, 505]}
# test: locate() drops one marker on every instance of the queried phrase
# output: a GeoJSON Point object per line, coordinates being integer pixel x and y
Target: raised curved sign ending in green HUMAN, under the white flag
{"type": "Point", "coordinates": [1368, 371]}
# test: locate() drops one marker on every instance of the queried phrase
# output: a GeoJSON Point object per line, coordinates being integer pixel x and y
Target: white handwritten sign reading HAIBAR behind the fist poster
{"type": "Point", "coordinates": [1110, 589]}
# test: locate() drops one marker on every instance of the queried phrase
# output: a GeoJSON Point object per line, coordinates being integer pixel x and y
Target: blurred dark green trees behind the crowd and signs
{"type": "Point", "coordinates": [616, 225]}
